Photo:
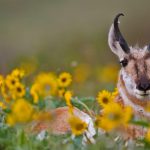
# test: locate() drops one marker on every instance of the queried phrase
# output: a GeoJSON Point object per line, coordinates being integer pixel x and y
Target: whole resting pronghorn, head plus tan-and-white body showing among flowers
{"type": "Point", "coordinates": [133, 85]}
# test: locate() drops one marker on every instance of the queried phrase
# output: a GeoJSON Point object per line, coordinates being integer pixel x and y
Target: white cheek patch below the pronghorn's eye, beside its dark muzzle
{"type": "Point", "coordinates": [129, 83]}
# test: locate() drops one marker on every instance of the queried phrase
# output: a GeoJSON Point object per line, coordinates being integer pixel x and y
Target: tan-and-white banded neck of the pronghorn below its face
{"type": "Point", "coordinates": [130, 100]}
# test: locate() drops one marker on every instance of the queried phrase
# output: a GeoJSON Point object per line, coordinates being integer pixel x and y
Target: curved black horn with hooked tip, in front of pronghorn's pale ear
{"type": "Point", "coordinates": [119, 36]}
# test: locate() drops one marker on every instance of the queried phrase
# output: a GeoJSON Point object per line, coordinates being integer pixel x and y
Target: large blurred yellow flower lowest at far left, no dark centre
{"type": "Point", "coordinates": [22, 112]}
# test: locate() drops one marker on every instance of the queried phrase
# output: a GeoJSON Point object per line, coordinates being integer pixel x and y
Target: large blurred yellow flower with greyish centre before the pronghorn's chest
{"type": "Point", "coordinates": [114, 116]}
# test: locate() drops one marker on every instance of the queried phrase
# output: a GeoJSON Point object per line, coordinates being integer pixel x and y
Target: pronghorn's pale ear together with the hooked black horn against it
{"type": "Point", "coordinates": [115, 39]}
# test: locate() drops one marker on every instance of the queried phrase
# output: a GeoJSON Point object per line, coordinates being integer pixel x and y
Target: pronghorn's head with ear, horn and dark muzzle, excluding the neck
{"type": "Point", "coordinates": [135, 62]}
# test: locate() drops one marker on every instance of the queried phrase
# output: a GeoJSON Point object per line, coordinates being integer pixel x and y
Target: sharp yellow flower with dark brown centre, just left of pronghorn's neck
{"type": "Point", "coordinates": [104, 98]}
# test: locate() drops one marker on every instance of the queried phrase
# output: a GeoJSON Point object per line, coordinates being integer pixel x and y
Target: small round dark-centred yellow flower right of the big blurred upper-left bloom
{"type": "Point", "coordinates": [64, 79]}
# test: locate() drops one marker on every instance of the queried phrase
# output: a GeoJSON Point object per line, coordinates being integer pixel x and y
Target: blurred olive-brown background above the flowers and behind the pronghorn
{"type": "Point", "coordinates": [69, 35]}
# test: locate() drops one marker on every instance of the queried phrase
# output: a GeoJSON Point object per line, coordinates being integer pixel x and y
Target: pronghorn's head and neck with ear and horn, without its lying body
{"type": "Point", "coordinates": [134, 76]}
